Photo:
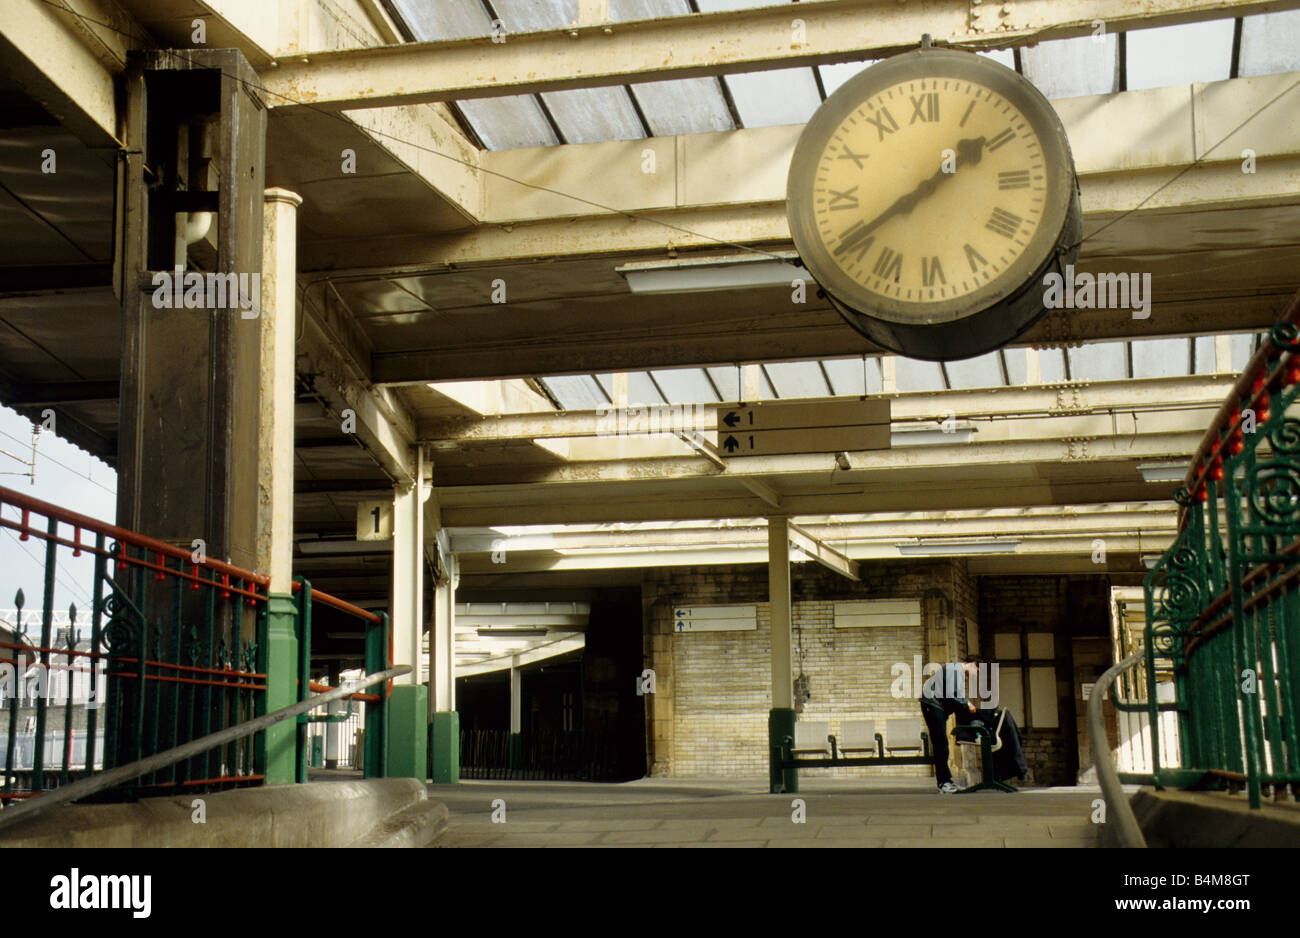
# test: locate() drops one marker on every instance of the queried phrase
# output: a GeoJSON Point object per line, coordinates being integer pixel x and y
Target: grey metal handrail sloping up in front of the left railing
{"type": "Point", "coordinates": [94, 784]}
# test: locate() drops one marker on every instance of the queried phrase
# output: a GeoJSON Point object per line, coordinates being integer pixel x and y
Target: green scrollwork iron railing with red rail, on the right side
{"type": "Point", "coordinates": [1224, 601]}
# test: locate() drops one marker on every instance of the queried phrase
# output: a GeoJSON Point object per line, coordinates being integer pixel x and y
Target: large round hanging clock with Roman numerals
{"type": "Point", "coordinates": [926, 197]}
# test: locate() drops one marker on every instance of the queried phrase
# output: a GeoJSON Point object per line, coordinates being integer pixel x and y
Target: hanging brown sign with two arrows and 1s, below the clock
{"type": "Point", "coordinates": [800, 427]}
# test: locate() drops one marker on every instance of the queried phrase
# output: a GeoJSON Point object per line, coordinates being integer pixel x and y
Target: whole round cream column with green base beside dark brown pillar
{"type": "Point", "coordinates": [275, 511]}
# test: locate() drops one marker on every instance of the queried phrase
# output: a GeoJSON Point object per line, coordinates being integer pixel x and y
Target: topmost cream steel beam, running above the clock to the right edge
{"type": "Point", "coordinates": [588, 57]}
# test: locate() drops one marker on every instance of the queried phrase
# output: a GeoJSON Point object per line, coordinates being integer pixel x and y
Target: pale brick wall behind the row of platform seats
{"type": "Point", "coordinates": [709, 714]}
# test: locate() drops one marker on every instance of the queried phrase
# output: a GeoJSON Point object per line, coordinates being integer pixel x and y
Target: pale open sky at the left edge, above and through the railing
{"type": "Point", "coordinates": [67, 477]}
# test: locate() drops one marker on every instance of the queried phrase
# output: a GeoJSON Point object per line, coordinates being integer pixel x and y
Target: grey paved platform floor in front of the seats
{"type": "Point", "coordinates": [673, 813]}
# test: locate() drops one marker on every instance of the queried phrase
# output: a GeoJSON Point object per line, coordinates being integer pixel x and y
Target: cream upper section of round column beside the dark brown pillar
{"type": "Point", "coordinates": [276, 402]}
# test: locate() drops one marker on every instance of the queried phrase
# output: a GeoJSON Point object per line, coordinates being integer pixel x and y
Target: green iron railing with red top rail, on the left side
{"type": "Point", "coordinates": [176, 652]}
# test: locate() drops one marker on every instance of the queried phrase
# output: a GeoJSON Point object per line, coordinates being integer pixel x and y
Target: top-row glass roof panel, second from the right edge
{"type": "Point", "coordinates": [1178, 55]}
